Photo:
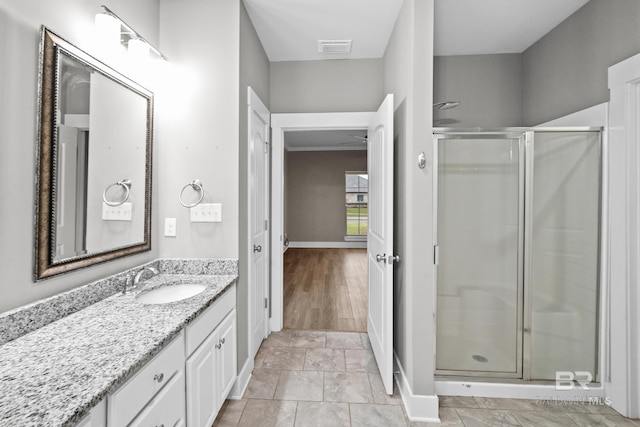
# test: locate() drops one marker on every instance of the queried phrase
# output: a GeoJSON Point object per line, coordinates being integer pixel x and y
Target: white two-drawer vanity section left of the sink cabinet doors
{"type": "Point", "coordinates": [155, 392]}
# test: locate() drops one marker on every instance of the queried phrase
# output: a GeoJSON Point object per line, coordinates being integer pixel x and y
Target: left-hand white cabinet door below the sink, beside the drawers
{"type": "Point", "coordinates": [201, 391]}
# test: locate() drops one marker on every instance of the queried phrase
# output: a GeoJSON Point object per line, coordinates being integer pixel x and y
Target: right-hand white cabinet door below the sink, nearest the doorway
{"type": "Point", "coordinates": [227, 358]}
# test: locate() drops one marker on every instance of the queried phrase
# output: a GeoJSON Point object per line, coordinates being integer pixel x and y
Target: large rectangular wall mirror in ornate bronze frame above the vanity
{"type": "Point", "coordinates": [93, 195]}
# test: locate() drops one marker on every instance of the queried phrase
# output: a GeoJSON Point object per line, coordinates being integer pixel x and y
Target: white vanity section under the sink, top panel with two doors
{"type": "Point", "coordinates": [211, 367]}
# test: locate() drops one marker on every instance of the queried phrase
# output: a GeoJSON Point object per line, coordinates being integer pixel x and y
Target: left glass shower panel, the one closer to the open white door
{"type": "Point", "coordinates": [480, 205]}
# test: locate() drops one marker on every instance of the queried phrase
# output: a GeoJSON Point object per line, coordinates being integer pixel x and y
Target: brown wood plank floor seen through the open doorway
{"type": "Point", "coordinates": [325, 289]}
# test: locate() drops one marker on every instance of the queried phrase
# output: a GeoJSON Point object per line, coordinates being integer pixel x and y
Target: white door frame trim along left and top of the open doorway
{"type": "Point", "coordinates": [281, 123]}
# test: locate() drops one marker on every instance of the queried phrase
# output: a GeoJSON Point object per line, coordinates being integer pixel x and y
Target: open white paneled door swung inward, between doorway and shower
{"type": "Point", "coordinates": [380, 257]}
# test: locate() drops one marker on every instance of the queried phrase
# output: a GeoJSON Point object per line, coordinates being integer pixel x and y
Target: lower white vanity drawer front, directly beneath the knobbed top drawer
{"type": "Point", "coordinates": [167, 408]}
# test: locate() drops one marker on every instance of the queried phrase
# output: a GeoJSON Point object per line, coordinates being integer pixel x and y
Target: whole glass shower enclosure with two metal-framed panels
{"type": "Point", "coordinates": [517, 251]}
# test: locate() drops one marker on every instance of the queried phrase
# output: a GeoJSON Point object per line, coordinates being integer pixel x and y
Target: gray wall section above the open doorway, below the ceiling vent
{"type": "Point", "coordinates": [326, 86]}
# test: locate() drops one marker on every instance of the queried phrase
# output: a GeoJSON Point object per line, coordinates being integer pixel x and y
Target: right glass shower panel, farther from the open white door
{"type": "Point", "coordinates": [562, 261]}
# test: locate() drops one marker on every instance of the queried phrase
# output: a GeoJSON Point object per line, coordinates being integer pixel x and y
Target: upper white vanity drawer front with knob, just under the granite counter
{"type": "Point", "coordinates": [129, 399]}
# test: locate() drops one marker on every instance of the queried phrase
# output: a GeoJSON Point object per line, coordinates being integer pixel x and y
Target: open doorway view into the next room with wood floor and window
{"type": "Point", "coordinates": [325, 229]}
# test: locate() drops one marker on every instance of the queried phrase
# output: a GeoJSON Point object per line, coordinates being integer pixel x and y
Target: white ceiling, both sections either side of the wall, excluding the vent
{"type": "Point", "coordinates": [290, 29]}
